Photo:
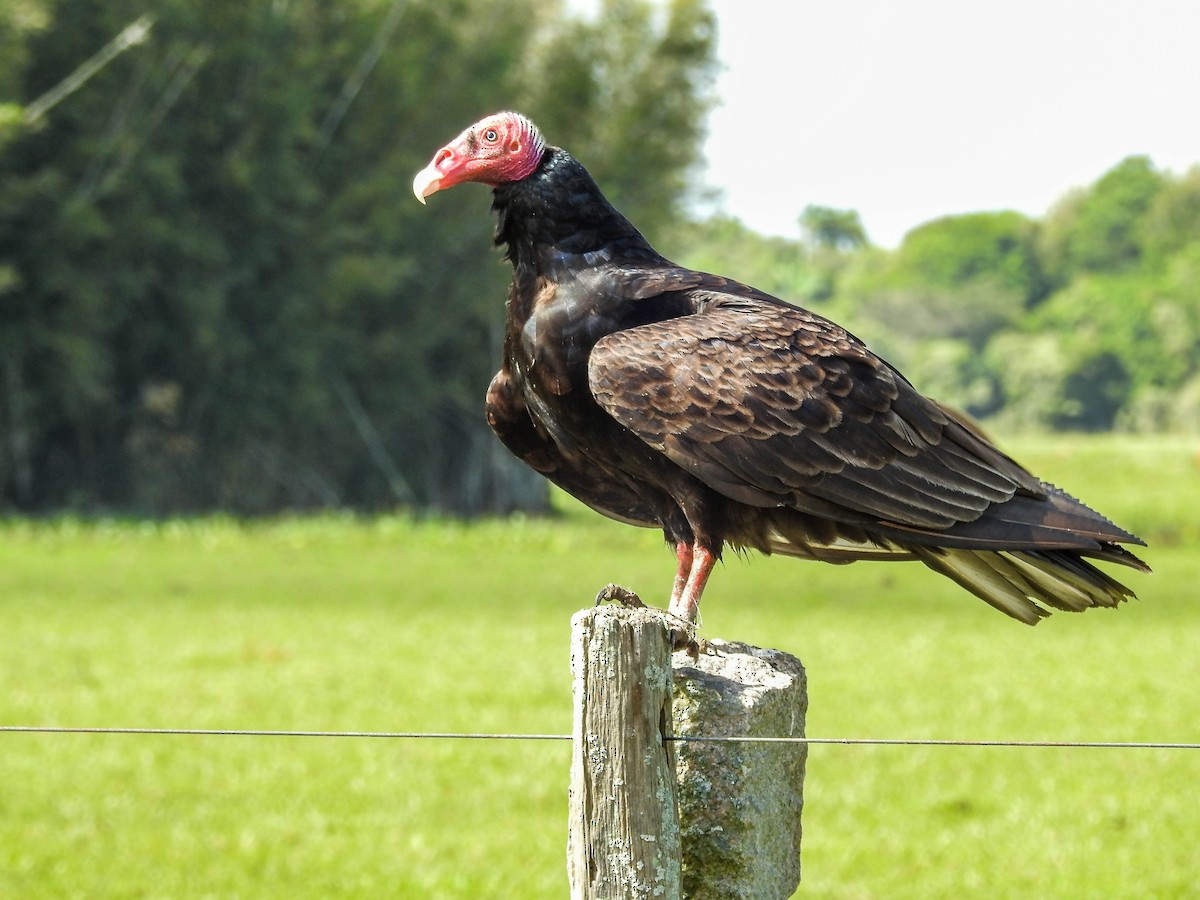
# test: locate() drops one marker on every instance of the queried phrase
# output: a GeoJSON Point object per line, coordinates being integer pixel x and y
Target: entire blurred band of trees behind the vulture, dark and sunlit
{"type": "Point", "coordinates": [218, 292]}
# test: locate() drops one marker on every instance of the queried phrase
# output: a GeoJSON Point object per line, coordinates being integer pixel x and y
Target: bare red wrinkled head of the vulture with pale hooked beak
{"type": "Point", "coordinates": [496, 151]}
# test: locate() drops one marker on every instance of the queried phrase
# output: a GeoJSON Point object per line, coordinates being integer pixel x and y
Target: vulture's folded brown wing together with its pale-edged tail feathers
{"type": "Point", "coordinates": [777, 409]}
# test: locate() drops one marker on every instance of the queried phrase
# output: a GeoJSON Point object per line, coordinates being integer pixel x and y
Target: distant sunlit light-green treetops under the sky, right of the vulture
{"type": "Point", "coordinates": [1088, 319]}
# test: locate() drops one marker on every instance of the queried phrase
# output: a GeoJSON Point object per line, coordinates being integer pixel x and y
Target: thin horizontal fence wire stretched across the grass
{"type": "Point", "coordinates": [680, 739]}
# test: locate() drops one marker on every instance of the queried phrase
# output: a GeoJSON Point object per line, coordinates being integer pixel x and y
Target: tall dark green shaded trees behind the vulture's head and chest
{"type": "Point", "coordinates": [217, 290]}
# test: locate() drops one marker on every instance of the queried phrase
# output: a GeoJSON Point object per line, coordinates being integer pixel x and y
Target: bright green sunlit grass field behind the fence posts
{"type": "Point", "coordinates": [391, 625]}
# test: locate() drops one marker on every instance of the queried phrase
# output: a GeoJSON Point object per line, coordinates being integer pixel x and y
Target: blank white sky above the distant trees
{"type": "Point", "coordinates": [916, 110]}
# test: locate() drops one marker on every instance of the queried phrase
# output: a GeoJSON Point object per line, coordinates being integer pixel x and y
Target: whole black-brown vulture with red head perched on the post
{"type": "Point", "coordinates": [673, 399]}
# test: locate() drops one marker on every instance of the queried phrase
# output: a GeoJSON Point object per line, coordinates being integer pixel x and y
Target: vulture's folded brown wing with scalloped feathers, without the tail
{"type": "Point", "coordinates": [775, 406]}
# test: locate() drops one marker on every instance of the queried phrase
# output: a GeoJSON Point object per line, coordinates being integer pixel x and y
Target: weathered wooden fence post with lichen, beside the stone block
{"type": "Point", "coordinates": [623, 832]}
